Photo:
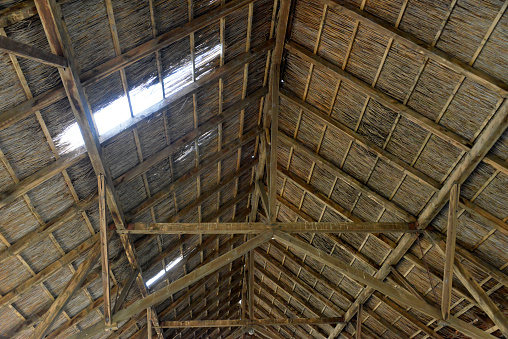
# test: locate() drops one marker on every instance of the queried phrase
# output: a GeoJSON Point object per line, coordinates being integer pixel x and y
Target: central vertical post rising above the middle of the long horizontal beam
{"type": "Point", "coordinates": [274, 91]}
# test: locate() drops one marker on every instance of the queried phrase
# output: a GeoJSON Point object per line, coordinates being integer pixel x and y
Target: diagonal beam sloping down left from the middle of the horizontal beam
{"type": "Point", "coordinates": [161, 294]}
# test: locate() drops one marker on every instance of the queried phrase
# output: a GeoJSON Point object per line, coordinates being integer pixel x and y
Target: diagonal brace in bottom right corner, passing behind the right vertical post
{"type": "Point", "coordinates": [481, 297]}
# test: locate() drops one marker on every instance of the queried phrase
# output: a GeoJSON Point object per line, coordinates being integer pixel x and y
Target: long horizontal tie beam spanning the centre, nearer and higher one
{"type": "Point", "coordinates": [259, 227]}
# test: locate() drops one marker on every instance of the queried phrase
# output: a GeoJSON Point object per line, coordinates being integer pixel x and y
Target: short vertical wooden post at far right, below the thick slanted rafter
{"type": "Point", "coordinates": [451, 235]}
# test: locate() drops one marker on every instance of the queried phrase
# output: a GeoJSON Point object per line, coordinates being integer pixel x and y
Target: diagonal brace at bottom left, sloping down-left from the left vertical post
{"type": "Point", "coordinates": [69, 290]}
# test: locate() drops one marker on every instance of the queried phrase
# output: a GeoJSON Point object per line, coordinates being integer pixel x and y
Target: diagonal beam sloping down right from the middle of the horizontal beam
{"type": "Point", "coordinates": [399, 295]}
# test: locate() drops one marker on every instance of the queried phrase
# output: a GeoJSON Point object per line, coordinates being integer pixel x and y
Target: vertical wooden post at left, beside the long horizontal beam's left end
{"type": "Point", "coordinates": [104, 249]}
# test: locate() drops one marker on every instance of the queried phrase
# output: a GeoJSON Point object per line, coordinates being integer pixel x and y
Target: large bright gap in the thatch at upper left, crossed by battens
{"type": "Point", "coordinates": [142, 98]}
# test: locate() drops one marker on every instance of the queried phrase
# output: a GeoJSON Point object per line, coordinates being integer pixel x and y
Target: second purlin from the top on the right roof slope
{"type": "Point", "coordinates": [458, 141]}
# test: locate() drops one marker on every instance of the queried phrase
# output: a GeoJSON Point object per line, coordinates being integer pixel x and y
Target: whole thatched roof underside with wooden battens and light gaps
{"type": "Point", "coordinates": [384, 106]}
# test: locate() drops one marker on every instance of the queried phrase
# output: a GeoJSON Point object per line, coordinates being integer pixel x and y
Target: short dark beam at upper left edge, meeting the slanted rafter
{"type": "Point", "coordinates": [29, 52]}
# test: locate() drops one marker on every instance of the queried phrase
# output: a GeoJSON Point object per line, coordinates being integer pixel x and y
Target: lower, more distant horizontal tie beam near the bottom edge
{"type": "Point", "coordinates": [248, 322]}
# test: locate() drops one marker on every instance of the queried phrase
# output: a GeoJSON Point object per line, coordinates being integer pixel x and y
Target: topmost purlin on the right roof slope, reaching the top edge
{"type": "Point", "coordinates": [421, 47]}
